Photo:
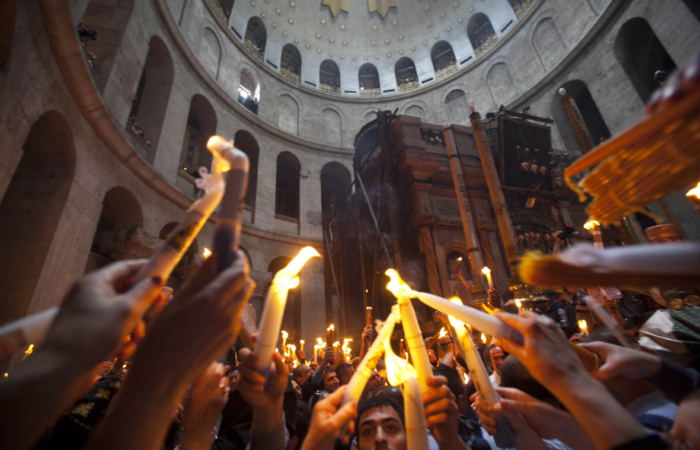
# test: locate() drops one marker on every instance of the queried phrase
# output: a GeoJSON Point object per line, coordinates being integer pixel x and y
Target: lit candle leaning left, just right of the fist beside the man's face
{"type": "Point", "coordinates": [504, 435]}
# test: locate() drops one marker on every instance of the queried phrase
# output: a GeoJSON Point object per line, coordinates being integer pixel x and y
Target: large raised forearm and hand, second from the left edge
{"type": "Point", "coordinates": [193, 330]}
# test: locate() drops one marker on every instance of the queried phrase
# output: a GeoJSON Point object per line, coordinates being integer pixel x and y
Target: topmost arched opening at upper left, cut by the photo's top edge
{"type": "Point", "coordinates": [100, 31]}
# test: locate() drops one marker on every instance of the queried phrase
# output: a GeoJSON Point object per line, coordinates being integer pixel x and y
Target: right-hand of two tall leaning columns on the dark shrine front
{"type": "Point", "coordinates": [505, 227]}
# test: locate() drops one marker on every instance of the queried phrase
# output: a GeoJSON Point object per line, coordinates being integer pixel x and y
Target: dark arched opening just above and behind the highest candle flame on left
{"type": "Point", "coordinates": [201, 125]}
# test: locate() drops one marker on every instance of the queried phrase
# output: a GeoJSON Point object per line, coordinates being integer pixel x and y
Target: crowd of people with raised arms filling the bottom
{"type": "Point", "coordinates": [123, 368]}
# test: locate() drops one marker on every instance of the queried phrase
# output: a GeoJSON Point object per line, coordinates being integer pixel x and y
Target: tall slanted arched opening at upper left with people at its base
{"type": "Point", "coordinates": [150, 102]}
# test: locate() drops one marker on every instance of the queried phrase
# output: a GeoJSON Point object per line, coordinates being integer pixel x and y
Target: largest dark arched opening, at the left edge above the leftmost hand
{"type": "Point", "coordinates": [31, 210]}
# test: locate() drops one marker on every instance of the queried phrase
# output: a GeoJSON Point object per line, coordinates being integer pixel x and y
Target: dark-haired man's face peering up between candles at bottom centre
{"type": "Point", "coordinates": [381, 429]}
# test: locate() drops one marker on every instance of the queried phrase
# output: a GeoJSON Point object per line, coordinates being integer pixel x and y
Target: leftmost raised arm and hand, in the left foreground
{"type": "Point", "coordinates": [95, 318]}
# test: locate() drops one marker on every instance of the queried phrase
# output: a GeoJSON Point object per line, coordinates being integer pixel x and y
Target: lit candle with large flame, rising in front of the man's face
{"type": "Point", "coordinates": [400, 372]}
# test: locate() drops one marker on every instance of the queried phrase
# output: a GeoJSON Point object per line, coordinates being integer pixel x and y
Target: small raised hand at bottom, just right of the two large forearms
{"type": "Point", "coordinates": [208, 396]}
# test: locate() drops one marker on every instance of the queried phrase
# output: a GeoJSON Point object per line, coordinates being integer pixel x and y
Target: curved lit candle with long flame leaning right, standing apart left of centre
{"type": "Point", "coordinates": [275, 303]}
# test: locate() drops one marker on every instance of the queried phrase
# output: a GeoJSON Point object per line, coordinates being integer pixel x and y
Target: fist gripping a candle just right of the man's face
{"type": "Point", "coordinates": [442, 414]}
